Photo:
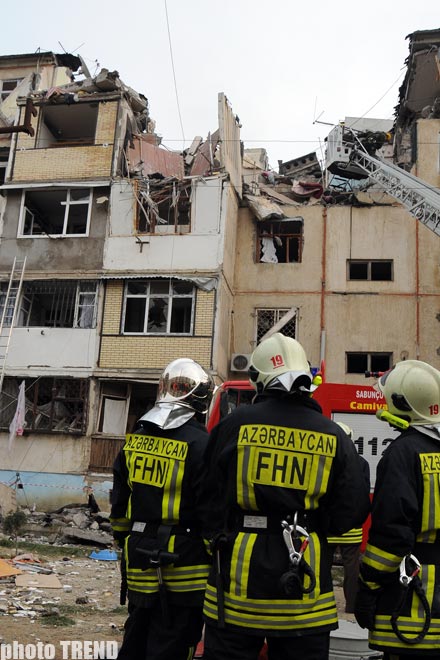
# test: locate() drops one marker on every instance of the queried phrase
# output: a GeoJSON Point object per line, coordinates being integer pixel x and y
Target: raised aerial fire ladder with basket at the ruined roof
{"type": "Point", "coordinates": [353, 156]}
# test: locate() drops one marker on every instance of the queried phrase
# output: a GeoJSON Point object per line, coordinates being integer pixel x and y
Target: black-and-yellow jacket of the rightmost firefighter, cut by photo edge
{"type": "Point", "coordinates": [405, 520]}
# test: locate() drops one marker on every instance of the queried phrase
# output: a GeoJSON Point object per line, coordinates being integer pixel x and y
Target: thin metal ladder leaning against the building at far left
{"type": "Point", "coordinates": [10, 299]}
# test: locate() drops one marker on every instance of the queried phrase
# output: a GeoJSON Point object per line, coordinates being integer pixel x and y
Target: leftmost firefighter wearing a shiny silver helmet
{"type": "Point", "coordinates": [155, 518]}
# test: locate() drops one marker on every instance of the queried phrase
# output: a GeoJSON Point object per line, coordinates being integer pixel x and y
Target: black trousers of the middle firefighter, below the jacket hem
{"type": "Point", "coordinates": [227, 644]}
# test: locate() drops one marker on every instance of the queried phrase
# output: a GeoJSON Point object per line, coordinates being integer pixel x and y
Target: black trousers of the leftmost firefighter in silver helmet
{"type": "Point", "coordinates": [146, 638]}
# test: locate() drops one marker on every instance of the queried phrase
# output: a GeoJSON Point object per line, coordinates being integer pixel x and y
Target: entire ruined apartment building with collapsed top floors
{"type": "Point", "coordinates": [128, 255]}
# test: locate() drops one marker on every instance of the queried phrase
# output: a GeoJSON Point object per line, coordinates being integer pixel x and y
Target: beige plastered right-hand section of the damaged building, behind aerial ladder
{"type": "Point", "coordinates": [336, 262]}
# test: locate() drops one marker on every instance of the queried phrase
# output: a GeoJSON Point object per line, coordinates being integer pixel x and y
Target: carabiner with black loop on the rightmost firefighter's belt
{"type": "Point", "coordinates": [410, 581]}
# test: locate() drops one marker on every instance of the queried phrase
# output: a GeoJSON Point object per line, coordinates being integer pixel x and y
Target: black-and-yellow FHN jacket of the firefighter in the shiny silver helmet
{"type": "Point", "coordinates": [156, 506]}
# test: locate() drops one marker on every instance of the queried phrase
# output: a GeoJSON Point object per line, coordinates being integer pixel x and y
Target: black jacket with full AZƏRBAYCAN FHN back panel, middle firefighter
{"type": "Point", "coordinates": [266, 462]}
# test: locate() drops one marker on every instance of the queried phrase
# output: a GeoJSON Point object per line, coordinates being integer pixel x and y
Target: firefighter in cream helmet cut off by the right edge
{"type": "Point", "coordinates": [398, 600]}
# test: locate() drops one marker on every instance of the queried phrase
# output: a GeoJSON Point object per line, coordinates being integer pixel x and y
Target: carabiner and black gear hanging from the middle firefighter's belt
{"type": "Point", "coordinates": [296, 539]}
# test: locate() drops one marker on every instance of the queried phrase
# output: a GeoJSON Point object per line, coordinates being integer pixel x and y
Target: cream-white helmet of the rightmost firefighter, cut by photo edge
{"type": "Point", "coordinates": [412, 392]}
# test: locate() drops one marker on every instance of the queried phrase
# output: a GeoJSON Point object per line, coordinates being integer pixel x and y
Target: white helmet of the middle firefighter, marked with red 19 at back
{"type": "Point", "coordinates": [280, 363]}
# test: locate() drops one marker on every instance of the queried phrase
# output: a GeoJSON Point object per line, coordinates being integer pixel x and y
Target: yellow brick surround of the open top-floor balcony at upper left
{"type": "Point", "coordinates": [79, 162]}
